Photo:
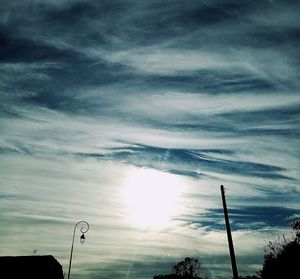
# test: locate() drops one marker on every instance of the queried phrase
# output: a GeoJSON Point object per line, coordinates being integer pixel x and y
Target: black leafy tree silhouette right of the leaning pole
{"type": "Point", "coordinates": [282, 256]}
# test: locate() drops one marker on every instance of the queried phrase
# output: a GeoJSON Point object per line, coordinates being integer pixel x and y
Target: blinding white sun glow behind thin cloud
{"type": "Point", "coordinates": [152, 197]}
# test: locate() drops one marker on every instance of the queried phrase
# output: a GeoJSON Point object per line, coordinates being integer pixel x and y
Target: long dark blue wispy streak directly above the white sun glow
{"type": "Point", "coordinates": [191, 162]}
